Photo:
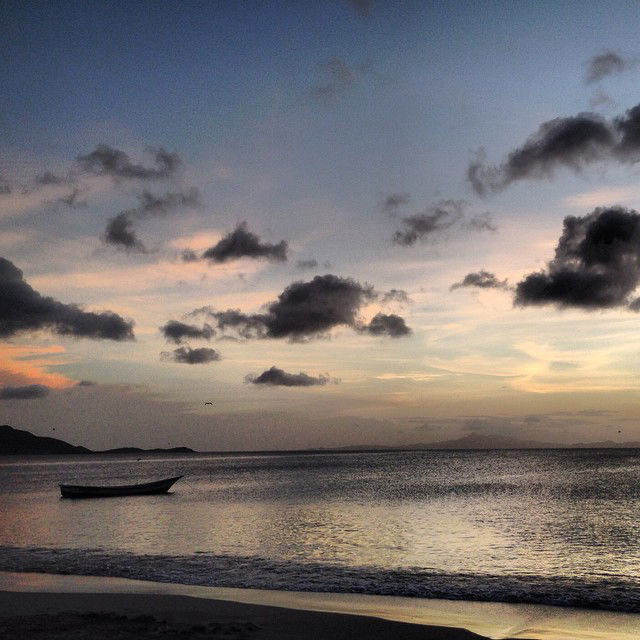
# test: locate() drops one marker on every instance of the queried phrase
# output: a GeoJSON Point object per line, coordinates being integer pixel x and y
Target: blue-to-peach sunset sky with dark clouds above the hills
{"type": "Point", "coordinates": [275, 225]}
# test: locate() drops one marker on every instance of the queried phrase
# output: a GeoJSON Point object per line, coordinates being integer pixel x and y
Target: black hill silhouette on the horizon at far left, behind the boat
{"type": "Point", "coordinates": [19, 442]}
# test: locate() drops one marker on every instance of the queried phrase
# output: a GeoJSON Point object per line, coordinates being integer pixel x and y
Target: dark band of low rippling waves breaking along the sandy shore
{"type": "Point", "coordinates": [611, 593]}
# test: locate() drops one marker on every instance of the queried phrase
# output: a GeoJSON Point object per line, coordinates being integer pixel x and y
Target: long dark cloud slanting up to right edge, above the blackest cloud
{"type": "Point", "coordinates": [572, 142]}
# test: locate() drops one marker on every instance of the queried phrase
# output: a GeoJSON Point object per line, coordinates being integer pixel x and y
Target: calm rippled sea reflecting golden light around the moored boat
{"type": "Point", "coordinates": [555, 527]}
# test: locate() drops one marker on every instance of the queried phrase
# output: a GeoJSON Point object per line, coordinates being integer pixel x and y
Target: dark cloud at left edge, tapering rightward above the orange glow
{"type": "Point", "coordinates": [24, 309]}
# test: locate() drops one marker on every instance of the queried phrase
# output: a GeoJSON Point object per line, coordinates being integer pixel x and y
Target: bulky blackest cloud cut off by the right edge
{"type": "Point", "coordinates": [596, 264]}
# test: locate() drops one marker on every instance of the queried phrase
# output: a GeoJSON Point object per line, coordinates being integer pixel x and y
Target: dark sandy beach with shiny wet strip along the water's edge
{"type": "Point", "coordinates": [263, 614]}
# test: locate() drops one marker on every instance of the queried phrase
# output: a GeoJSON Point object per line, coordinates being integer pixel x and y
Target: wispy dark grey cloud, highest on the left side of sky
{"type": "Point", "coordinates": [107, 161]}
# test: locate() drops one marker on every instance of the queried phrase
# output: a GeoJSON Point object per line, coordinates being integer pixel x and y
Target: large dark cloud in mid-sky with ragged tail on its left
{"type": "Point", "coordinates": [304, 310]}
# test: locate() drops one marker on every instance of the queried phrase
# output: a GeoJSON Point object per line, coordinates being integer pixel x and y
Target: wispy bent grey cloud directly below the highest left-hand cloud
{"type": "Point", "coordinates": [120, 229]}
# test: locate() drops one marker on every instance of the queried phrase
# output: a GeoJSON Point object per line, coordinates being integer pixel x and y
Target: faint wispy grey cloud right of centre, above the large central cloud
{"type": "Point", "coordinates": [438, 218]}
